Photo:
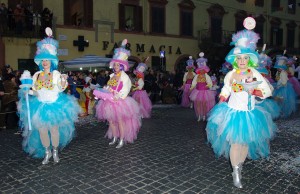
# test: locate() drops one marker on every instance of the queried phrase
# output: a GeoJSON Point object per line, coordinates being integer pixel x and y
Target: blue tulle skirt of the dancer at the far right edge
{"type": "Point", "coordinates": [286, 98]}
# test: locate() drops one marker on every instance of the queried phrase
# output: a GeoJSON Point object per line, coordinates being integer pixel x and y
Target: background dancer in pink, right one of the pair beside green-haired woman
{"type": "Point", "coordinates": [202, 96]}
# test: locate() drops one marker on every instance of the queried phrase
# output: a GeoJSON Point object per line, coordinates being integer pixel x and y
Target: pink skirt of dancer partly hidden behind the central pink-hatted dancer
{"type": "Point", "coordinates": [144, 101]}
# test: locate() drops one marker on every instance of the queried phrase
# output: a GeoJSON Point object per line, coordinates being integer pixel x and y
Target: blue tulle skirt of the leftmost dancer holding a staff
{"type": "Point", "coordinates": [44, 116]}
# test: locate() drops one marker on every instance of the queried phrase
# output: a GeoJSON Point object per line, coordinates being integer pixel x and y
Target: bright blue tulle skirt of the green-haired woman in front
{"type": "Point", "coordinates": [228, 126]}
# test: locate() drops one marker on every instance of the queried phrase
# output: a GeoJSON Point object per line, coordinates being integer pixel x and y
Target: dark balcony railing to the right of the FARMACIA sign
{"type": "Point", "coordinates": [222, 37]}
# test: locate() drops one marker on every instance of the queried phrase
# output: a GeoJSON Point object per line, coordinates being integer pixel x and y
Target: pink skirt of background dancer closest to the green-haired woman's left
{"type": "Point", "coordinates": [204, 101]}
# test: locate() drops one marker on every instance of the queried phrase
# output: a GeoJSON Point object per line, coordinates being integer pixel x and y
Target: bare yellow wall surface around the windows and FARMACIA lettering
{"type": "Point", "coordinates": [18, 48]}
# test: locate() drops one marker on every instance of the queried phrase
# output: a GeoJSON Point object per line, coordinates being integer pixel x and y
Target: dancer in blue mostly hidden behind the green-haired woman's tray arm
{"type": "Point", "coordinates": [269, 104]}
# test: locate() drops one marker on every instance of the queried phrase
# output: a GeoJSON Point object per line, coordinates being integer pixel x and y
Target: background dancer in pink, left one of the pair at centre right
{"type": "Point", "coordinates": [187, 82]}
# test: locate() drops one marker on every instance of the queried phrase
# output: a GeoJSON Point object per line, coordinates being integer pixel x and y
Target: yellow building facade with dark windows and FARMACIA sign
{"type": "Point", "coordinates": [180, 28]}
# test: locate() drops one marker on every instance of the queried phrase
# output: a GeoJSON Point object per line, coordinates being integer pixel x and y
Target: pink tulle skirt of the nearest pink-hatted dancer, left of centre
{"type": "Point", "coordinates": [122, 113]}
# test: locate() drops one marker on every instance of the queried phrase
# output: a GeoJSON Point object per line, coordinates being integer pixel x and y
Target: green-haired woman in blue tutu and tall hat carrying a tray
{"type": "Point", "coordinates": [238, 129]}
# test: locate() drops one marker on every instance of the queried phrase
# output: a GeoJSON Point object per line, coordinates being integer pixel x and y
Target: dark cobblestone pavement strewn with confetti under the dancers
{"type": "Point", "coordinates": [169, 156]}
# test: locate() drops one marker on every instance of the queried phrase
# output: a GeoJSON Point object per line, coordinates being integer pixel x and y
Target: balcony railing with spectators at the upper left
{"type": "Point", "coordinates": [24, 26]}
